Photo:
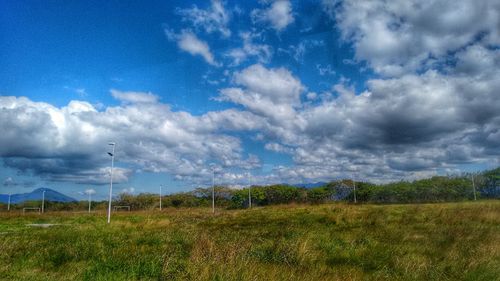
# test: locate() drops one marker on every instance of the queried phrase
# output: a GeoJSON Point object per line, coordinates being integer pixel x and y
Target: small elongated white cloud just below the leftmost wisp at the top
{"type": "Point", "coordinates": [189, 42]}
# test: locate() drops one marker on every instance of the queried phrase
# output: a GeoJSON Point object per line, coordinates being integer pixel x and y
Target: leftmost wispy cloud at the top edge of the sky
{"type": "Point", "coordinates": [213, 19]}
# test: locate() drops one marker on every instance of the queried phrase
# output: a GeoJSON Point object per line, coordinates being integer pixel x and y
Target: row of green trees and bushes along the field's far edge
{"type": "Point", "coordinates": [435, 189]}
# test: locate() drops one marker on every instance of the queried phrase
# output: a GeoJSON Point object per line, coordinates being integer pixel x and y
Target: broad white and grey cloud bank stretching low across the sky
{"type": "Point", "coordinates": [404, 127]}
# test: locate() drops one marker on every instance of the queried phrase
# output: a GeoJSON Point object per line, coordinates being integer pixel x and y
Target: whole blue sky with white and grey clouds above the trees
{"type": "Point", "coordinates": [261, 92]}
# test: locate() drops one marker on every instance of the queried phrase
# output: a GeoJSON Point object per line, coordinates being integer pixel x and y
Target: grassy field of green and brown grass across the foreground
{"type": "Point", "coordinates": [453, 241]}
